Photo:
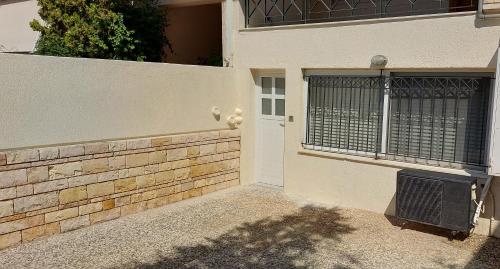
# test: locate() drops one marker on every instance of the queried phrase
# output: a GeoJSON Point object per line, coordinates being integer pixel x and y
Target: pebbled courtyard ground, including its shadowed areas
{"type": "Point", "coordinates": [253, 227]}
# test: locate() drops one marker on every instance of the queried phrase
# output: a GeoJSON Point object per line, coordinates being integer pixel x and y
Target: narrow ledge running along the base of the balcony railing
{"type": "Point", "coordinates": [357, 22]}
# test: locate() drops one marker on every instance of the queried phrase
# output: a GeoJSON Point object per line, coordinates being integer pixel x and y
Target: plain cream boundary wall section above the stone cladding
{"type": "Point", "coordinates": [49, 100]}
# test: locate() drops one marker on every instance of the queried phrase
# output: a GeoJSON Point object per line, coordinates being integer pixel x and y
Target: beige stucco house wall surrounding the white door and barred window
{"type": "Point", "coordinates": [458, 42]}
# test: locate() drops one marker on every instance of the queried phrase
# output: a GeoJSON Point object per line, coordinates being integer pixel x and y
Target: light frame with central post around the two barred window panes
{"type": "Point", "coordinates": [386, 110]}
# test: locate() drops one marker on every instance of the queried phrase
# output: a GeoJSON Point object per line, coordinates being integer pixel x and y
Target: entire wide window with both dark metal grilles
{"type": "Point", "coordinates": [436, 120]}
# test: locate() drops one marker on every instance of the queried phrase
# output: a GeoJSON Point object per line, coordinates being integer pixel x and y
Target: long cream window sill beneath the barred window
{"type": "Point", "coordinates": [388, 163]}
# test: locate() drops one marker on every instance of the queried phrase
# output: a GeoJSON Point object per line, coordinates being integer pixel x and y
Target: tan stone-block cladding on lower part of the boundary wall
{"type": "Point", "coordinates": [45, 191]}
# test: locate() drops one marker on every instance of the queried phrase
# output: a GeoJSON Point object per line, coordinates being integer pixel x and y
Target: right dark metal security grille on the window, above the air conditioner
{"type": "Point", "coordinates": [440, 119]}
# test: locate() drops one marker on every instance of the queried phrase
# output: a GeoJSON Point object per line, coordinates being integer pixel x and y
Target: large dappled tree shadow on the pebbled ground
{"type": "Point", "coordinates": [267, 243]}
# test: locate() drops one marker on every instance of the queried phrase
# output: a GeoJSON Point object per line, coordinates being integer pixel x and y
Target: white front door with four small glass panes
{"type": "Point", "coordinates": [270, 129]}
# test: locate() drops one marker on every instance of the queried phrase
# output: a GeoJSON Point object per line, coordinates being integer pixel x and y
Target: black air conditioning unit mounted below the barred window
{"type": "Point", "coordinates": [437, 199]}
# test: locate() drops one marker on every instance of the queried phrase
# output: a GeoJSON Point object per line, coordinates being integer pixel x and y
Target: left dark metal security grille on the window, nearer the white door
{"type": "Point", "coordinates": [344, 113]}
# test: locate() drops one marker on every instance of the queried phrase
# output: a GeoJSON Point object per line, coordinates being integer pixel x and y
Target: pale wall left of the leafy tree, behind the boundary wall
{"type": "Point", "coordinates": [15, 33]}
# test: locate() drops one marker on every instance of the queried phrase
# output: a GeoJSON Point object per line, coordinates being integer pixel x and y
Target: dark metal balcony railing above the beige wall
{"type": "Point", "coordinates": [284, 12]}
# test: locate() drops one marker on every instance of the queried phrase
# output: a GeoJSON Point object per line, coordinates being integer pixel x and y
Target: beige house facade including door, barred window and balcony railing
{"type": "Point", "coordinates": [338, 96]}
